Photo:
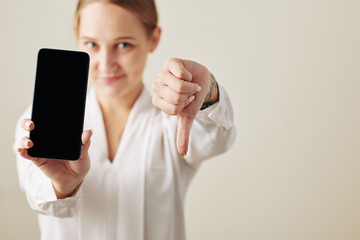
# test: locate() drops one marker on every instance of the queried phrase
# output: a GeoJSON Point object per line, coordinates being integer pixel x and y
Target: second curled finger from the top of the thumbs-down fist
{"type": "Point", "coordinates": [178, 85]}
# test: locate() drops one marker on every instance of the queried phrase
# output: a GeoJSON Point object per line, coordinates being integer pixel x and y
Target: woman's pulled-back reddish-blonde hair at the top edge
{"type": "Point", "coordinates": [144, 10]}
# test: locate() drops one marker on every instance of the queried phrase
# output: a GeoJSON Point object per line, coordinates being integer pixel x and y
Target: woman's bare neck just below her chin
{"type": "Point", "coordinates": [119, 104]}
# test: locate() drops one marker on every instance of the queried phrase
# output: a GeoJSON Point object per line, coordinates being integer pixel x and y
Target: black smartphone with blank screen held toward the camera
{"type": "Point", "coordinates": [59, 104]}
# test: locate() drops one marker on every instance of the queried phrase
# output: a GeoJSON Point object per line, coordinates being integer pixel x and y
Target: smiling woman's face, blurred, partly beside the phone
{"type": "Point", "coordinates": [118, 47]}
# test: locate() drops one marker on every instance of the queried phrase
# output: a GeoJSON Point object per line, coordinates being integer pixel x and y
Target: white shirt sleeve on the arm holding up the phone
{"type": "Point", "coordinates": [37, 186]}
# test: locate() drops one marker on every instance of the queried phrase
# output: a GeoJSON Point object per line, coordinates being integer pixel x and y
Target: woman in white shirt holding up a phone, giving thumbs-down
{"type": "Point", "coordinates": [142, 157]}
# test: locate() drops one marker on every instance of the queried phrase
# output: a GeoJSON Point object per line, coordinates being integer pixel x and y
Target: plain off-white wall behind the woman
{"type": "Point", "coordinates": [291, 68]}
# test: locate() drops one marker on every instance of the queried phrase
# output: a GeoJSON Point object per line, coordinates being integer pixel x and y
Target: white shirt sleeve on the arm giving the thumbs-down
{"type": "Point", "coordinates": [213, 131]}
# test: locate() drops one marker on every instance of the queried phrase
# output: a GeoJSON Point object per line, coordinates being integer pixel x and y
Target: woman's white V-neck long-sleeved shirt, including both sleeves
{"type": "Point", "coordinates": [140, 194]}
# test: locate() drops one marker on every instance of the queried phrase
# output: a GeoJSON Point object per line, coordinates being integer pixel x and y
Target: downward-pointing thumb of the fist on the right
{"type": "Point", "coordinates": [183, 133]}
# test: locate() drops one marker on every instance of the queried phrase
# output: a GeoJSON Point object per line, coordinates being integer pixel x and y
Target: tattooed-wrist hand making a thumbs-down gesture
{"type": "Point", "coordinates": [183, 88]}
